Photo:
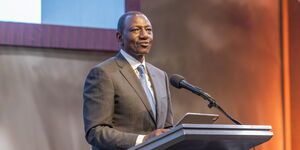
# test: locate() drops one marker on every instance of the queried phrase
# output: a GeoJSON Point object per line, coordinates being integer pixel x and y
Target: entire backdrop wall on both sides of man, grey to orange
{"type": "Point", "coordinates": [229, 48]}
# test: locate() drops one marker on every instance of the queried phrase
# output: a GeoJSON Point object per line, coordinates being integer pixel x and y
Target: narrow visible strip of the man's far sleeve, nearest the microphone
{"type": "Point", "coordinates": [169, 120]}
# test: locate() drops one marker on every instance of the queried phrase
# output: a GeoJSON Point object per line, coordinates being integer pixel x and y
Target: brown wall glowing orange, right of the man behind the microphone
{"type": "Point", "coordinates": [228, 48]}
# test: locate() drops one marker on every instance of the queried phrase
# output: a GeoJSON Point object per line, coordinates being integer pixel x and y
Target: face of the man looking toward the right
{"type": "Point", "coordinates": [137, 36]}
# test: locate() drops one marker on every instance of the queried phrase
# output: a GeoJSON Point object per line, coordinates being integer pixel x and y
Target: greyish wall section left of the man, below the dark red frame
{"type": "Point", "coordinates": [41, 97]}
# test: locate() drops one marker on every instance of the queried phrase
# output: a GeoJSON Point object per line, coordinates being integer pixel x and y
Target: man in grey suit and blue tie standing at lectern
{"type": "Point", "coordinates": [126, 100]}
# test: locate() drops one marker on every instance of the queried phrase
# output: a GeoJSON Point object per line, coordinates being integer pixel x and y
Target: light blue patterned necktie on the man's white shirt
{"type": "Point", "coordinates": [143, 80]}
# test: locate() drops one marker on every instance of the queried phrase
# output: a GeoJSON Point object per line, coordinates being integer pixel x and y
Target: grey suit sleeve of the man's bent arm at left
{"type": "Point", "coordinates": [98, 109]}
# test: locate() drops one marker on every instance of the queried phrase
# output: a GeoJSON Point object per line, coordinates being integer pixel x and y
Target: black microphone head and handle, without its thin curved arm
{"type": "Point", "coordinates": [179, 82]}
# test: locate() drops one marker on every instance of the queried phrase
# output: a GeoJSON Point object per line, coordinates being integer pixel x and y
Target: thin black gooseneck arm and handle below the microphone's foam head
{"type": "Point", "coordinates": [211, 102]}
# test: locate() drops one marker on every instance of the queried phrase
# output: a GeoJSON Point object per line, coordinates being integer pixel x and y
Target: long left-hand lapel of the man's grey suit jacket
{"type": "Point", "coordinates": [134, 81]}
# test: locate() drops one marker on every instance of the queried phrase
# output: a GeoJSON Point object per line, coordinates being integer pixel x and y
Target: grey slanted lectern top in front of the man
{"type": "Point", "coordinates": [208, 137]}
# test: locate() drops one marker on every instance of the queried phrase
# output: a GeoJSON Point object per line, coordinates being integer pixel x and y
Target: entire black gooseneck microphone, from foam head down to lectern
{"type": "Point", "coordinates": [179, 82]}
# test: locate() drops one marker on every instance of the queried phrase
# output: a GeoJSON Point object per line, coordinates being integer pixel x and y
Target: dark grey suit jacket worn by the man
{"type": "Point", "coordinates": [116, 109]}
